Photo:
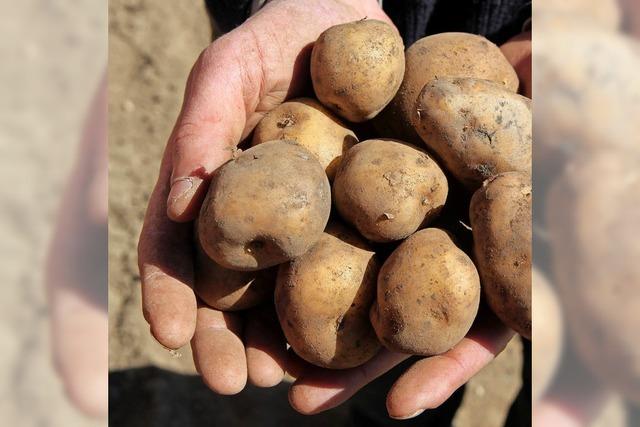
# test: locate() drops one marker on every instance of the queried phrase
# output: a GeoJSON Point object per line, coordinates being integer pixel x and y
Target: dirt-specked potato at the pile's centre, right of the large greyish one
{"type": "Point", "coordinates": [388, 189]}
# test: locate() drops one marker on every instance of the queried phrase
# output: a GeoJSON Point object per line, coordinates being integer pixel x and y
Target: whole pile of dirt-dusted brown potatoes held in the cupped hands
{"type": "Point", "coordinates": [368, 241]}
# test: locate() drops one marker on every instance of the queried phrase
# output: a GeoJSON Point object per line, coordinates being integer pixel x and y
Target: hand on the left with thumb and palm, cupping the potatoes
{"type": "Point", "coordinates": [234, 82]}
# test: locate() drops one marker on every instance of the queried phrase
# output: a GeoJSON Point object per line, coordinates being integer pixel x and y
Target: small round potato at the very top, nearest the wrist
{"type": "Point", "coordinates": [357, 68]}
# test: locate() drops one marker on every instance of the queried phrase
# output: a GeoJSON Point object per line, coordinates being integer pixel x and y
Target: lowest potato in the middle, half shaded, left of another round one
{"type": "Point", "coordinates": [323, 300]}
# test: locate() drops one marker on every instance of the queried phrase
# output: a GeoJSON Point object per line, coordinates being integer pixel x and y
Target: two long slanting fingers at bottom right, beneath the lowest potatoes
{"type": "Point", "coordinates": [427, 384]}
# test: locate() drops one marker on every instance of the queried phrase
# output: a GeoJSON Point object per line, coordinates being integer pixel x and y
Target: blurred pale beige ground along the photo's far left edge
{"type": "Point", "coordinates": [54, 54]}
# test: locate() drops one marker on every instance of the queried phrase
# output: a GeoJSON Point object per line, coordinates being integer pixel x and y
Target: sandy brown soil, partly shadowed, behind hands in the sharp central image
{"type": "Point", "coordinates": [152, 45]}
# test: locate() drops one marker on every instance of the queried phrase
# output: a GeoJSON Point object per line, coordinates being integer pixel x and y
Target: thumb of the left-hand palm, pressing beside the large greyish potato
{"type": "Point", "coordinates": [211, 123]}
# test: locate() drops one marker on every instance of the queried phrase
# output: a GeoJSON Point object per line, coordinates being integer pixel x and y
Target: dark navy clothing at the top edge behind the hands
{"type": "Point", "coordinates": [498, 20]}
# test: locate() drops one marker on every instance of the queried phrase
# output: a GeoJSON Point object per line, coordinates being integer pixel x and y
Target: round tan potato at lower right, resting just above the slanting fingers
{"type": "Point", "coordinates": [428, 295]}
